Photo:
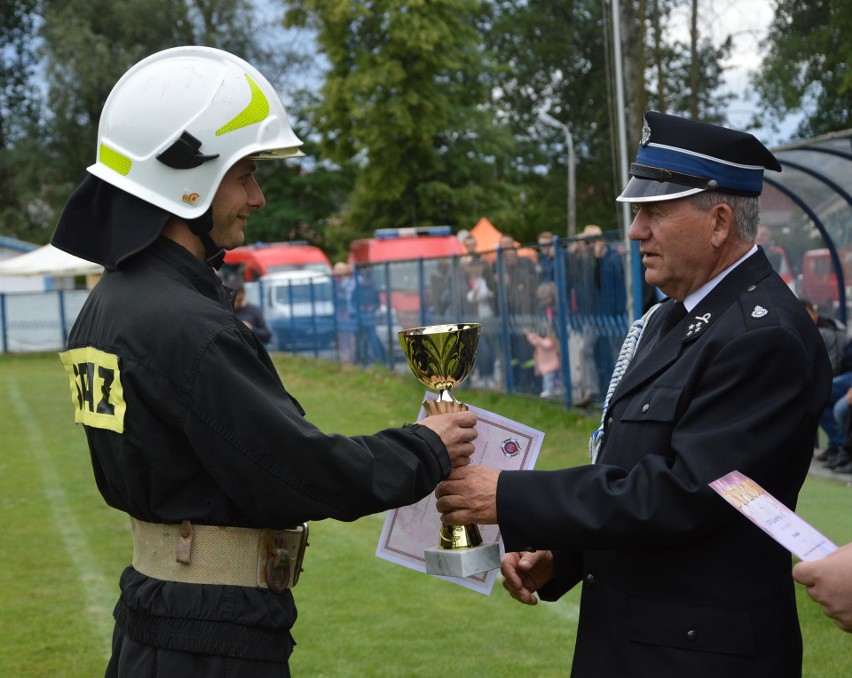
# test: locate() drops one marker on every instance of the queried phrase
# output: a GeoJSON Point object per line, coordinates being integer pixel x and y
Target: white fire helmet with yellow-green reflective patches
{"type": "Point", "coordinates": [178, 120]}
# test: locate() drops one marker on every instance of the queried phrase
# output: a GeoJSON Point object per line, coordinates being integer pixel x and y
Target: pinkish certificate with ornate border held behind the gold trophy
{"type": "Point", "coordinates": [408, 531]}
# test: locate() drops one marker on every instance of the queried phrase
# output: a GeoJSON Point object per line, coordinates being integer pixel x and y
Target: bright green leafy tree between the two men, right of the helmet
{"type": "Point", "coordinates": [404, 98]}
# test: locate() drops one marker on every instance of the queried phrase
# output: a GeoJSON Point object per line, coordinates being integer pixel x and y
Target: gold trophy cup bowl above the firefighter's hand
{"type": "Point", "coordinates": [441, 357]}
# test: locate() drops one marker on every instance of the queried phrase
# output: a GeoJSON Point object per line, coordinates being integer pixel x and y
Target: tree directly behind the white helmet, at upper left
{"type": "Point", "coordinates": [89, 45]}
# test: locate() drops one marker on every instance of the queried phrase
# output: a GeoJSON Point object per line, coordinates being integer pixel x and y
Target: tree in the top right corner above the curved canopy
{"type": "Point", "coordinates": [807, 65]}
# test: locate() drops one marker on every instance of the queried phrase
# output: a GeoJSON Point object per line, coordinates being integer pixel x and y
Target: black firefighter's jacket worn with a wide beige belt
{"type": "Point", "coordinates": [211, 435]}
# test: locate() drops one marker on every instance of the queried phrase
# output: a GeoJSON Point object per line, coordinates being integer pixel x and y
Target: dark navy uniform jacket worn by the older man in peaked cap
{"type": "Point", "coordinates": [675, 581]}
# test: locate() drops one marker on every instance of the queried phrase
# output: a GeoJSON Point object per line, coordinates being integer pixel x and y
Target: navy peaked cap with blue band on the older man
{"type": "Point", "coordinates": [679, 157]}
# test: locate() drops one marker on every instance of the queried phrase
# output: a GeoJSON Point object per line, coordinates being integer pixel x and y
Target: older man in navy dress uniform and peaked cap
{"type": "Point", "coordinates": [729, 374]}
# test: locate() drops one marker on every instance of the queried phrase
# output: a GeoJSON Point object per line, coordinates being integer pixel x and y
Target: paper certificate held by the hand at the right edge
{"type": "Point", "coordinates": [771, 516]}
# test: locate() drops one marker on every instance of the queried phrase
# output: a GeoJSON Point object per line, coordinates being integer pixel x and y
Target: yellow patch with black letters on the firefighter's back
{"type": "Point", "coordinates": [96, 389]}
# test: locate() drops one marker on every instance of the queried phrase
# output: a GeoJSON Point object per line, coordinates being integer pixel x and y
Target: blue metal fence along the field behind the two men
{"type": "Point", "coordinates": [575, 300]}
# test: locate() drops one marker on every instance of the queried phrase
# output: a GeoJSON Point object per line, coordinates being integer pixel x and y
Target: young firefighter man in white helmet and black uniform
{"type": "Point", "coordinates": [190, 429]}
